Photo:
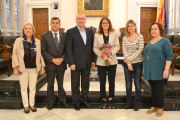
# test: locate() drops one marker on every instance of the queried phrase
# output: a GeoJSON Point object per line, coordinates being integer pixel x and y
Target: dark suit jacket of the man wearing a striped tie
{"type": "Point", "coordinates": [49, 51]}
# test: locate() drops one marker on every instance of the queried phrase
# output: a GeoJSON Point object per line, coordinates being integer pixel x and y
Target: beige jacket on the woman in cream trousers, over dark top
{"type": "Point", "coordinates": [18, 55]}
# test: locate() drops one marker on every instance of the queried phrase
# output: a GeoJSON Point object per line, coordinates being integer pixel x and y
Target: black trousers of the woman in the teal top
{"type": "Point", "coordinates": [157, 92]}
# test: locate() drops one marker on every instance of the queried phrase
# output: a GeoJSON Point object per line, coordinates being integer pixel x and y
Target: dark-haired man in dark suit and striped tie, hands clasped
{"type": "Point", "coordinates": [53, 51]}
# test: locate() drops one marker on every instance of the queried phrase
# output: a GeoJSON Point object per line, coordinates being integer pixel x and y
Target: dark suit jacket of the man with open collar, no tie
{"type": "Point", "coordinates": [77, 52]}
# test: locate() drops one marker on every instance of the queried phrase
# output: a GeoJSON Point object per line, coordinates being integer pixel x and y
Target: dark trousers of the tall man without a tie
{"type": "Point", "coordinates": [75, 84]}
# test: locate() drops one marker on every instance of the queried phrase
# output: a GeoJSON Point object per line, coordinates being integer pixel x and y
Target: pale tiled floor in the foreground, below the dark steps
{"type": "Point", "coordinates": [87, 114]}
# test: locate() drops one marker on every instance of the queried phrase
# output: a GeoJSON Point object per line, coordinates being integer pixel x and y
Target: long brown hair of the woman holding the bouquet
{"type": "Point", "coordinates": [100, 29]}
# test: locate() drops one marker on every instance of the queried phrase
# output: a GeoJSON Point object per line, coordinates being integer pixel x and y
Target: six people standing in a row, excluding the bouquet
{"type": "Point", "coordinates": [78, 47]}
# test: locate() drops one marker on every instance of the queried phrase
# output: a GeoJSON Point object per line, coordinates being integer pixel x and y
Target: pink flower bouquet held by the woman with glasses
{"type": "Point", "coordinates": [106, 48]}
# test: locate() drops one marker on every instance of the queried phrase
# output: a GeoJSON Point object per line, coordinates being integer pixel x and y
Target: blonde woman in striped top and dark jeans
{"type": "Point", "coordinates": [133, 44]}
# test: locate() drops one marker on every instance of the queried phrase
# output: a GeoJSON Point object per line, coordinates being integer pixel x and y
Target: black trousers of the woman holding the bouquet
{"type": "Point", "coordinates": [111, 79]}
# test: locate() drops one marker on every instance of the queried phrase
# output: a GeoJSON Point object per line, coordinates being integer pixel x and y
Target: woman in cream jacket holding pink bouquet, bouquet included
{"type": "Point", "coordinates": [106, 45]}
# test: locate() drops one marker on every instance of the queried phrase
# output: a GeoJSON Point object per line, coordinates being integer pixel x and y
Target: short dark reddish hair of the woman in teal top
{"type": "Point", "coordinates": [161, 29]}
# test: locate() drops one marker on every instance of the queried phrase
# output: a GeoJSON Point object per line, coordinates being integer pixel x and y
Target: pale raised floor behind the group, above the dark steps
{"type": "Point", "coordinates": [94, 86]}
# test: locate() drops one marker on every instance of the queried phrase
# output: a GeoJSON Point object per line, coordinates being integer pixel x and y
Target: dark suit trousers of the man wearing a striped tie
{"type": "Point", "coordinates": [50, 75]}
